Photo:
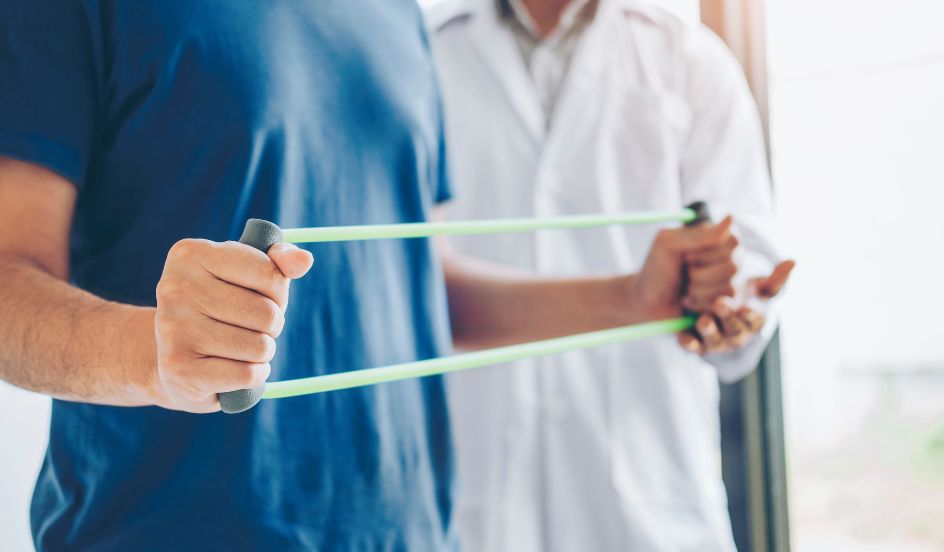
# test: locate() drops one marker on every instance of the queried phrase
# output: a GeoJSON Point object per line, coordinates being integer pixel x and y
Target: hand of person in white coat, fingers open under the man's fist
{"type": "Point", "coordinates": [724, 326]}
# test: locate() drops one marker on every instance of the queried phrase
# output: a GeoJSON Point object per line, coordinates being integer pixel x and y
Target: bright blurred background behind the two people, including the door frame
{"type": "Point", "coordinates": [838, 444]}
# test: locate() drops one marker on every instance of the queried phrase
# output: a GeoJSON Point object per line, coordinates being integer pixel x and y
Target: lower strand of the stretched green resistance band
{"type": "Point", "coordinates": [468, 361]}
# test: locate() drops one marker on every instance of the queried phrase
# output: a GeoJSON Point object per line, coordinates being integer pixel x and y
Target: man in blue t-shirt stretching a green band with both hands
{"type": "Point", "coordinates": [129, 128]}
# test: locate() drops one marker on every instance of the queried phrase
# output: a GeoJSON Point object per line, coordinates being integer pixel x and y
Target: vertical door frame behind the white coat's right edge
{"type": "Point", "coordinates": [753, 449]}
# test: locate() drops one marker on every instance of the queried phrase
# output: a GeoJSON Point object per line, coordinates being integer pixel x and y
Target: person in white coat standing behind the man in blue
{"type": "Point", "coordinates": [567, 107]}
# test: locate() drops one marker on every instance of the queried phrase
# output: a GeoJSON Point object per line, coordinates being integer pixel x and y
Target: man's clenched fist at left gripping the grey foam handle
{"type": "Point", "coordinates": [220, 307]}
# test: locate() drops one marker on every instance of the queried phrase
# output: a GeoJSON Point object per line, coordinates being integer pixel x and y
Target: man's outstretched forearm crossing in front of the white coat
{"type": "Point", "coordinates": [492, 306]}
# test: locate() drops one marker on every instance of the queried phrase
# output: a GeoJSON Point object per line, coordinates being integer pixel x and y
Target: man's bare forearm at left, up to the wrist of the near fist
{"type": "Point", "coordinates": [62, 341]}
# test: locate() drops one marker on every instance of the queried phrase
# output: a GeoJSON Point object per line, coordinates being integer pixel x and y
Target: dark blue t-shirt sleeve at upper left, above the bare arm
{"type": "Point", "coordinates": [49, 70]}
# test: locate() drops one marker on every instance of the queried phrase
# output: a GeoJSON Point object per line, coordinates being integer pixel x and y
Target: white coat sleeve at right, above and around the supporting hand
{"type": "Point", "coordinates": [725, 164]}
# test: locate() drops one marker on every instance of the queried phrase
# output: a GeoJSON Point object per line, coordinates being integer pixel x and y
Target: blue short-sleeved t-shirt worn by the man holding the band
{"type": "Point", "coordinates": [183, 118]}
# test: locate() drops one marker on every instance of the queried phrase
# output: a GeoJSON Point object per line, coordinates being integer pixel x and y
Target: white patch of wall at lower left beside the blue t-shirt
{"type": "Point", "coordinates": [24, 430]}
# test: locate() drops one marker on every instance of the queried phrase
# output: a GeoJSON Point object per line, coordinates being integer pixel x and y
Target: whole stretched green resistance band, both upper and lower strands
{"type": "Point", "coordinates": [263, 234]}
